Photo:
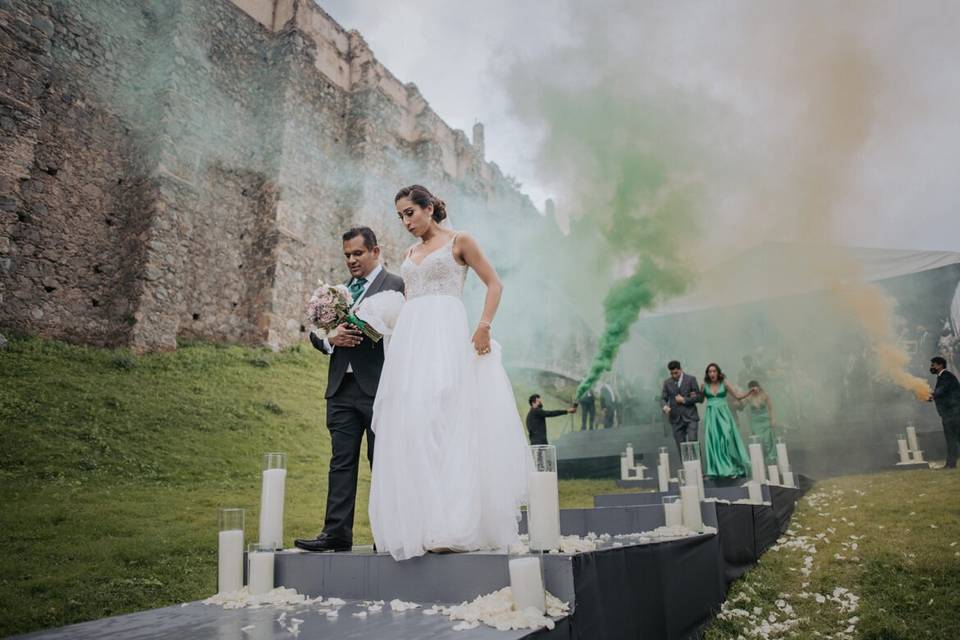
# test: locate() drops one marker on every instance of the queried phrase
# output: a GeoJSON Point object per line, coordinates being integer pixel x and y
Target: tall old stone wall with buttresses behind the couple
{"type": "Point", "coordinates": [184, 168]}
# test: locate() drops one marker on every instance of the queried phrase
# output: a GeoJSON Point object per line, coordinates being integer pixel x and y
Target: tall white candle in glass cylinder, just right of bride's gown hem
{"type": "Point", "coordinates": [543, 510]}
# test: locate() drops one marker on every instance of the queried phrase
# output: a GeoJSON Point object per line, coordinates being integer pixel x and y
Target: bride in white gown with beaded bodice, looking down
{"type": "Point", "coordinates": [451, 463]}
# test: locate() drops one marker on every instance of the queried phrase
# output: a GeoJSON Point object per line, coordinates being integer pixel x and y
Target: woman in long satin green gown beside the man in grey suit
{"type": "Point", "coordinates": [725, 453]}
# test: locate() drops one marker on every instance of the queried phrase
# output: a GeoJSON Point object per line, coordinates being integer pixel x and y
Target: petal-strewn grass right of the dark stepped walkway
{"type": "Point", "coordinates": [905, 568]}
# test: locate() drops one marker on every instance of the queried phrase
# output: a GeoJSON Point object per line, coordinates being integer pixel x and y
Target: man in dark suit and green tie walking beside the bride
{"type": "Point", "coordinates": [352, 379]}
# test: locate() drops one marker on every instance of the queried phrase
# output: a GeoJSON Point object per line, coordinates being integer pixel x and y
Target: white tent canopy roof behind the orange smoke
{"type": "Point", "coordinates": [778, 269]}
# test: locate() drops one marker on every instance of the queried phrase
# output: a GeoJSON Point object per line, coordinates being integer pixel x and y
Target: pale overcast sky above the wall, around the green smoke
{"type": "Point", "coordinates": [903, 190]}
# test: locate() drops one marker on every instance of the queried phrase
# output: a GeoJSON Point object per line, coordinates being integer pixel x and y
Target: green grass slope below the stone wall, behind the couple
{"type": "Point", "coordinates": [113, 467]}
